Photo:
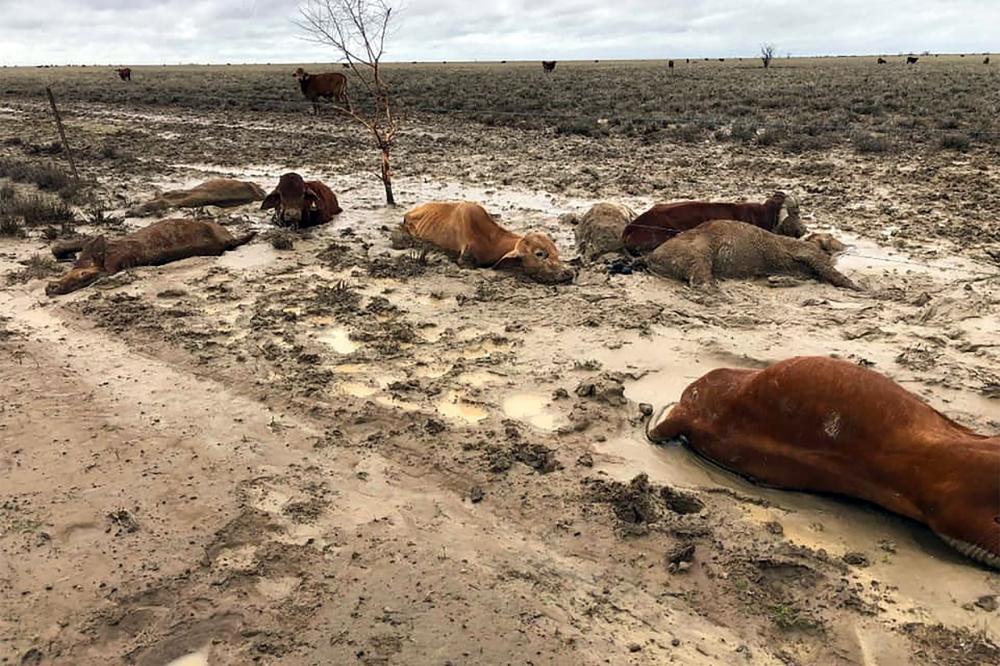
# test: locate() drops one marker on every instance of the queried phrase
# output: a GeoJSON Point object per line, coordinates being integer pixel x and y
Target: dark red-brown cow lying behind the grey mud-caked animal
{"type": "Point", "coordinates": [779, 214]}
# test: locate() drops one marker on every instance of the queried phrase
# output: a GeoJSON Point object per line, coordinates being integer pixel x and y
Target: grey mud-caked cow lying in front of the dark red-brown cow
{"type": "Point", "coordinates": [726, 249]}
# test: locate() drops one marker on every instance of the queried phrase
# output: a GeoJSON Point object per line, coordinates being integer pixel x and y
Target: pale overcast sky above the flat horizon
{"type": "Point", "coordinates": [241, 31]}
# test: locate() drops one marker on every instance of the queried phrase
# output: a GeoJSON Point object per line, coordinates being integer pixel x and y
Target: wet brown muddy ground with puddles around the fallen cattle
{"type": "Point", "coordinates": [342, 453]}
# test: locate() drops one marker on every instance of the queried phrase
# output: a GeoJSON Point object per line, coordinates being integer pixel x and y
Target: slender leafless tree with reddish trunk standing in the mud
{"type": "Point", "coordinates": [357, 29]}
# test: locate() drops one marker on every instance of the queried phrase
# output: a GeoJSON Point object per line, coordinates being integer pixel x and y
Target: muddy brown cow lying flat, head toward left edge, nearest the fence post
{"type": "Point", "coordinates": [159, 243]}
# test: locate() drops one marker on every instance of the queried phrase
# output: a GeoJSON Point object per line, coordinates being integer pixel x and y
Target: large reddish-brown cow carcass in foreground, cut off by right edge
{"type": "Point", "coordinates": [825, 425]}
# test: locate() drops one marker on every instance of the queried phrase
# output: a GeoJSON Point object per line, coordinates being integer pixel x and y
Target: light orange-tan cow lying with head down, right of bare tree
{"type": "Point", "coordinates": [467, 230]}
